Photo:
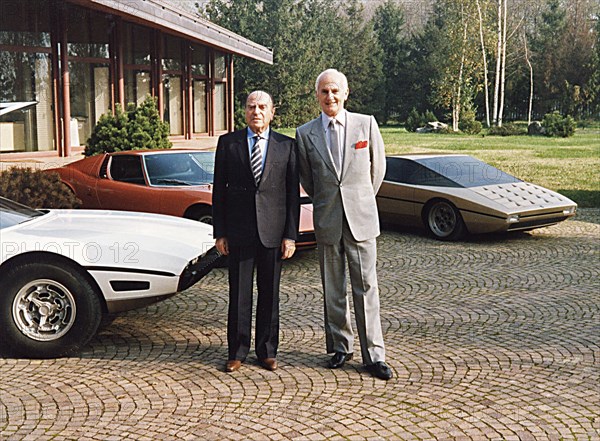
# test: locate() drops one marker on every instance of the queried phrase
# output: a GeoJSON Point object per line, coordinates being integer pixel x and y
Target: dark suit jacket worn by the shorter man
{"type": "Point", "coordinates": [245, 213]}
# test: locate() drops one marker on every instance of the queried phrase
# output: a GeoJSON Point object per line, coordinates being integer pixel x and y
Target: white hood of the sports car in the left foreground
{"type": "Point", "coordinates": [112, 239]}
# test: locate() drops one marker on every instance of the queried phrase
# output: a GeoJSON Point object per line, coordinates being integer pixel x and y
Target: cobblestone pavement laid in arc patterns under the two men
{"type": "Point", "coordinates": [496, 338]}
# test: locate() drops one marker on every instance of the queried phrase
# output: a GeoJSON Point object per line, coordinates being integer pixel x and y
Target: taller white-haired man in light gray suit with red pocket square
{"type": "Point", "coordinates": [342, 164]}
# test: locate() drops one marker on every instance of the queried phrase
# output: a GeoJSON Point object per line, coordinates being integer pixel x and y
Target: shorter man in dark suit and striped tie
{"type": "Point", "coordinates": [256, 210]}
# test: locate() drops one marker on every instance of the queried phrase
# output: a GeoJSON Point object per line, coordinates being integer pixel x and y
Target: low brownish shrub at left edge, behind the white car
{"type": "Point", "coordinates": [36, 188]}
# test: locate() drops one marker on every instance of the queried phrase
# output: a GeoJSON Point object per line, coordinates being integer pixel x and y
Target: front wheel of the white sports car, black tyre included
{"type": "Point", "coordinates": [47, 310]}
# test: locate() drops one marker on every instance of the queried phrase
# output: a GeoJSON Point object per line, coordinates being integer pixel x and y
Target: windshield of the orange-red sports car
{"type": "Point", "coordinates": [186, 168]}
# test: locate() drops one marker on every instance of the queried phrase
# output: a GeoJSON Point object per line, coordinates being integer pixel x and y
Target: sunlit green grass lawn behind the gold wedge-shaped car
{"type": "Point", "coordinates": [570, 166]}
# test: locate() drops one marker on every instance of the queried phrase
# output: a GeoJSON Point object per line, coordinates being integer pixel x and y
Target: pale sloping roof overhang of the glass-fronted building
{"type": "Point", "coordinates": [165, 16]}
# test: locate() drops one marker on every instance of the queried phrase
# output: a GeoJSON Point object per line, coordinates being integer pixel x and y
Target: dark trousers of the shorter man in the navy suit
{"type": "Point", "coordinates": [242, 261]}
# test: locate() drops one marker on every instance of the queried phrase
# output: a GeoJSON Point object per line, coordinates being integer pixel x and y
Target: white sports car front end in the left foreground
{"type": "Point", "coordinates": [61, 270]}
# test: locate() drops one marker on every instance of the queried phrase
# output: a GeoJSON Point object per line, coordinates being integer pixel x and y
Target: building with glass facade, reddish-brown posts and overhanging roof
{"type": "Point", "coordinates": [63, 63]}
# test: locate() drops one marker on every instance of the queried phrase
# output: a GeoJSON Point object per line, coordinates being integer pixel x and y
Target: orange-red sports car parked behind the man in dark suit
{"type": "Point", "coordinates": [174, 182]}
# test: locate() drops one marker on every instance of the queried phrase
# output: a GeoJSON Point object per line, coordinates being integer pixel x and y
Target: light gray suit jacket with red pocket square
{"type": "Point", "coordinates": [353, 193]}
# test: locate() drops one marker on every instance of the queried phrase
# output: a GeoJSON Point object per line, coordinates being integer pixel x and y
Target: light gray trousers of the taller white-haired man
{"type": "Point", "coordinates": [361, 257]}
